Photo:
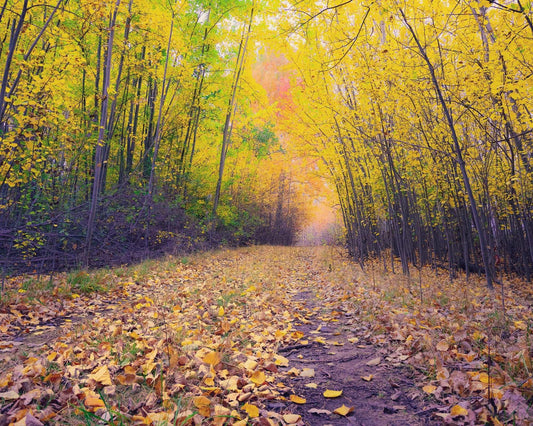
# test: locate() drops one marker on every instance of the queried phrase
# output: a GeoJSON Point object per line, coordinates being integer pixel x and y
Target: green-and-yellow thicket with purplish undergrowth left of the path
{"type": "Point", "coordinates": [116, 118]}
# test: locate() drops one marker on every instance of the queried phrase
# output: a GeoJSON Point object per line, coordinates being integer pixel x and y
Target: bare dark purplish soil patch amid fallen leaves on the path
{"type": "Point", "coordinates": [388, 396]}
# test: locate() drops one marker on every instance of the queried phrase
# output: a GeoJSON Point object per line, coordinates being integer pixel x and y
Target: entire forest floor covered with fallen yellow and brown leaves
{"type": "Point", "coordinates": [264, 335]}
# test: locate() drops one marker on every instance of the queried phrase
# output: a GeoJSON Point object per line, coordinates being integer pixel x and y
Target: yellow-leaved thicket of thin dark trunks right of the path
{"type": "Point", "coordinates": [423, 114]}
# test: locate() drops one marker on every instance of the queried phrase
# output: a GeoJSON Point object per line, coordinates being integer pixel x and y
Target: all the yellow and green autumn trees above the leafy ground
{"type": "Point", "coordinates": [134, 126]}
